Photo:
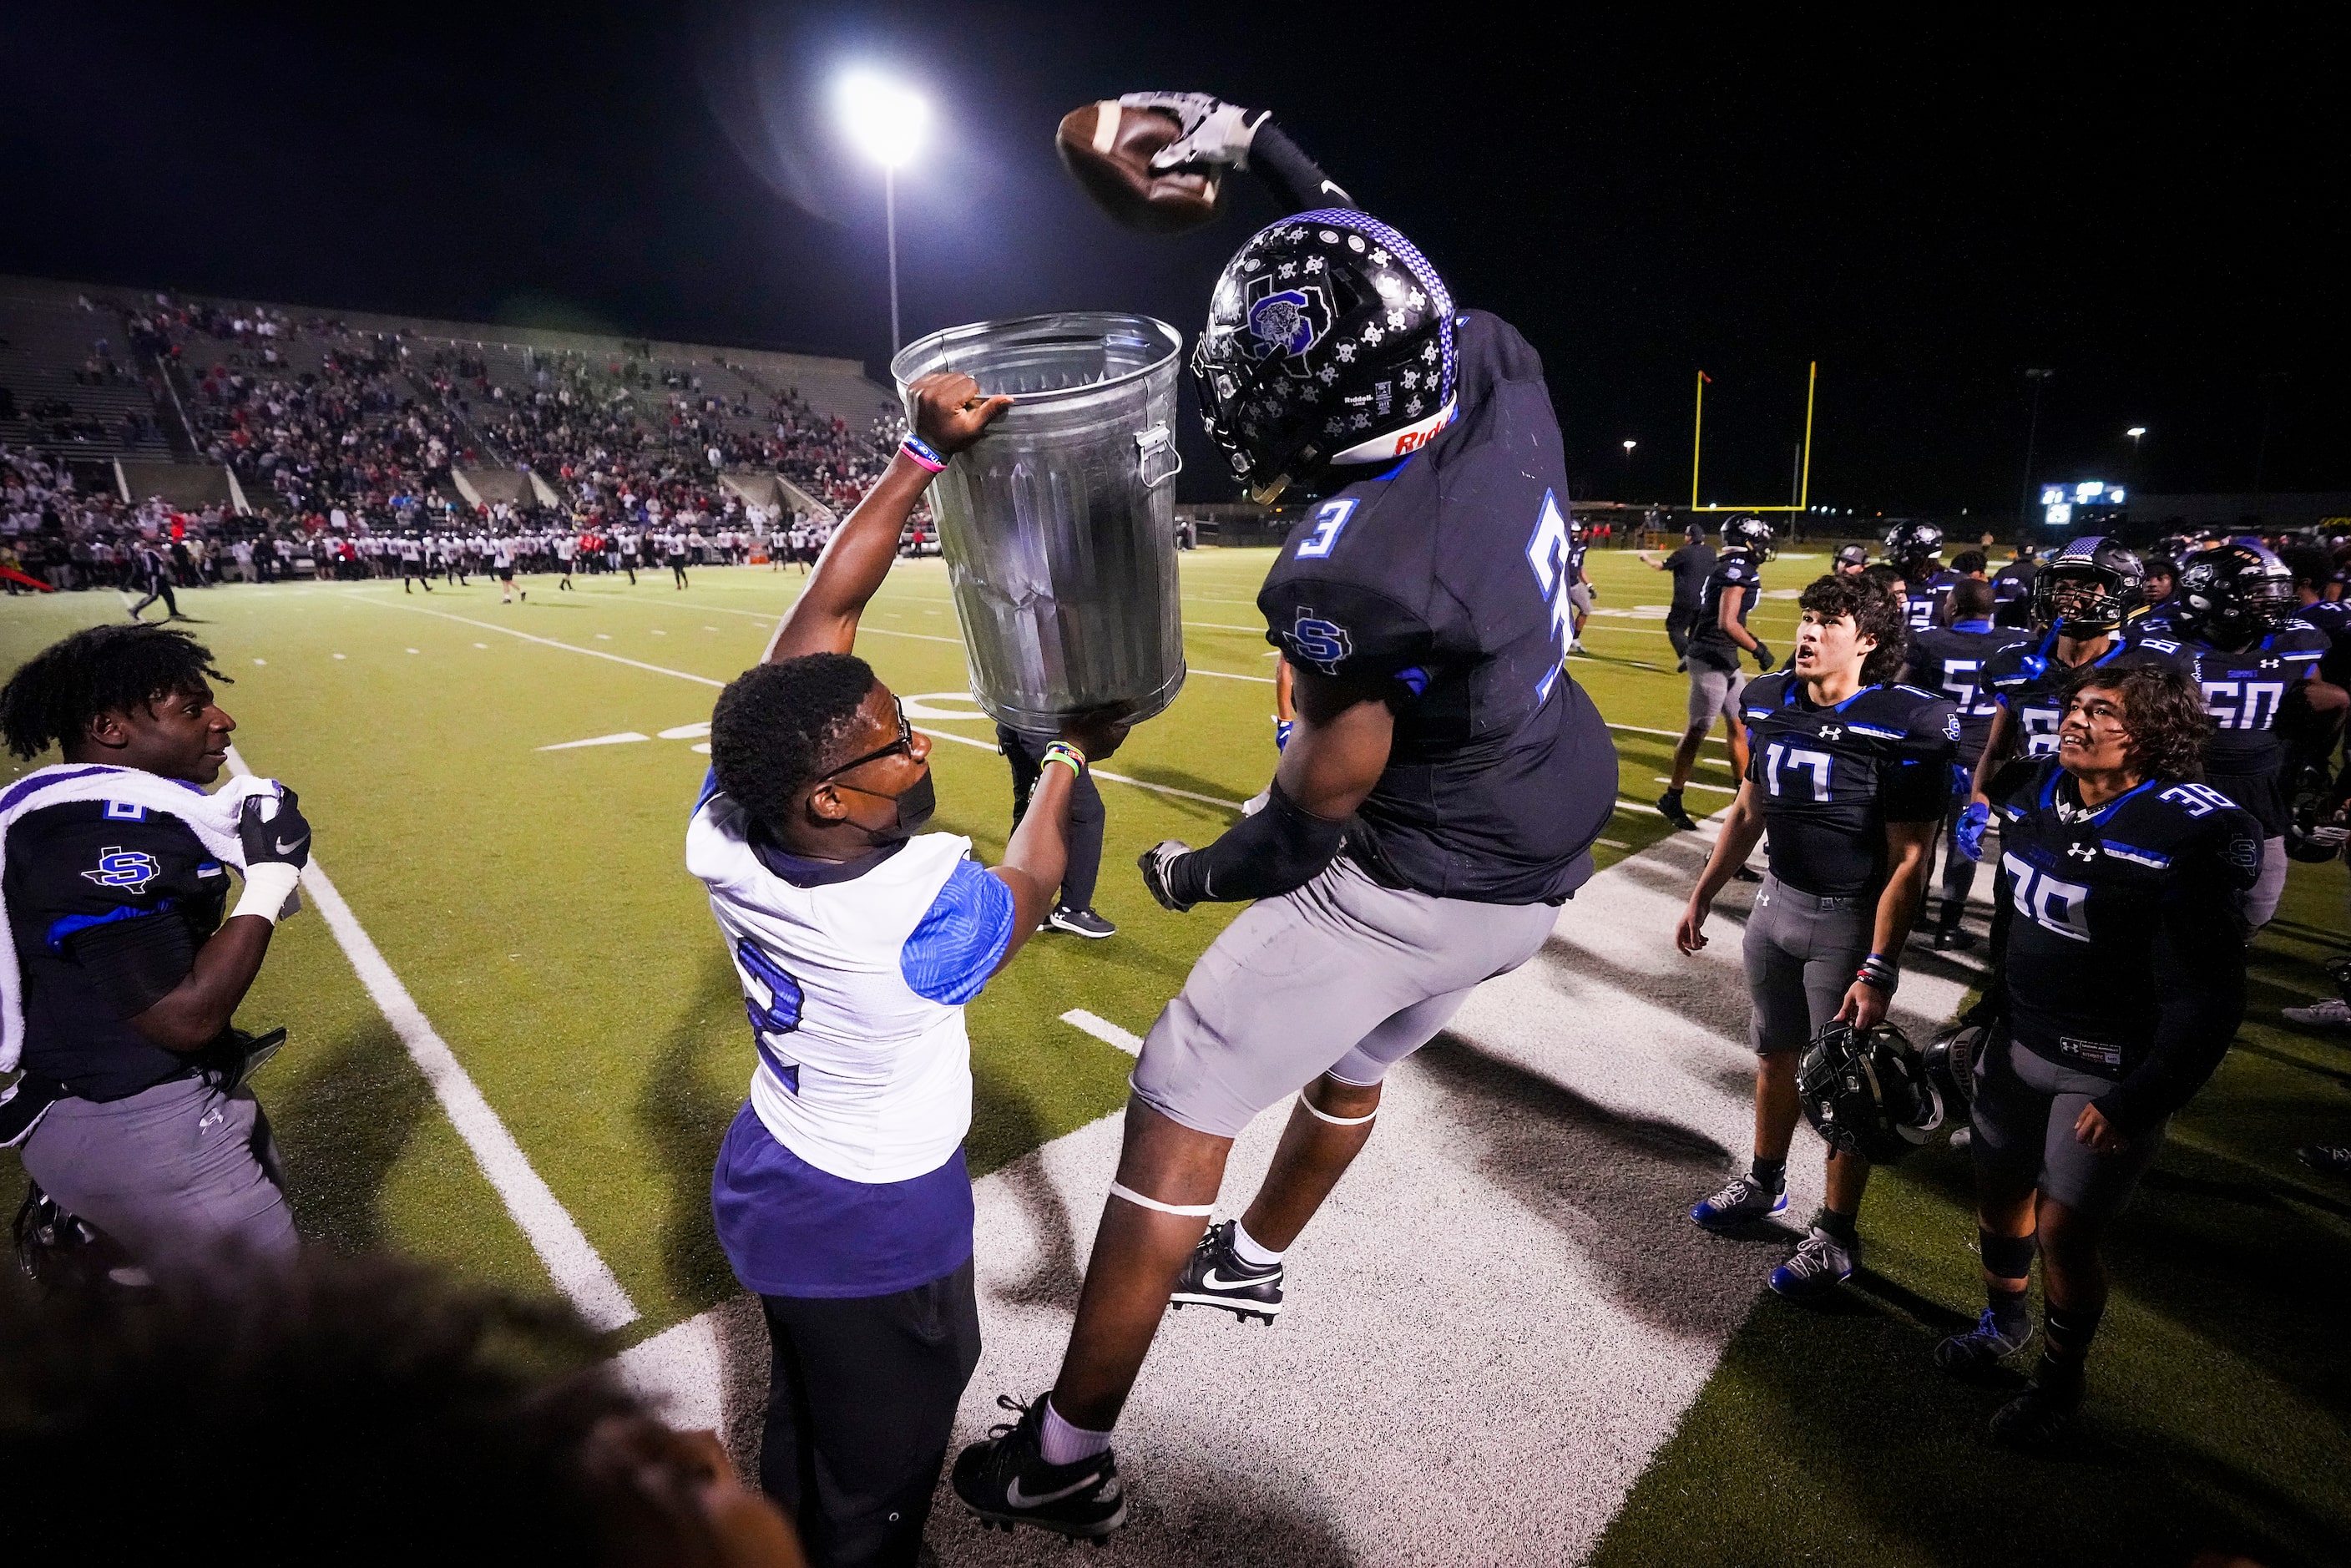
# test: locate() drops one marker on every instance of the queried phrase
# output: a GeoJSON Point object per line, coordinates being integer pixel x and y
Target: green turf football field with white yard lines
{"type": "Point", "coordinates": [530, 894]}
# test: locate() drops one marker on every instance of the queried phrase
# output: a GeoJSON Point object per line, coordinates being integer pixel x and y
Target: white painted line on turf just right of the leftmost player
{"type": "Point", "coordinates": [575, 1266]}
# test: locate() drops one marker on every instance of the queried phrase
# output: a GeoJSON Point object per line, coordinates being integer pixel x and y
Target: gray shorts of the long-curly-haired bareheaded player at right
{"type": "Point", "coordinates": [2025, 1115]}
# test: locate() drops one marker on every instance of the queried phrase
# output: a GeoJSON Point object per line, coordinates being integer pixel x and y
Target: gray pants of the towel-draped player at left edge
{"type": "Point", "coordinates": [173, 1174]}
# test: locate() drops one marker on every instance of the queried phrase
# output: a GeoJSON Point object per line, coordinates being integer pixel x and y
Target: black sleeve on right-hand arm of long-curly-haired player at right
{"type": "Point", "coordinates": [2199, 981]}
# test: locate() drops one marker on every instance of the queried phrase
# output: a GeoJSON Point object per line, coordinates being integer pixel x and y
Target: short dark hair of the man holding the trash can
{"type": "Point", "coordinates": [777, 725]}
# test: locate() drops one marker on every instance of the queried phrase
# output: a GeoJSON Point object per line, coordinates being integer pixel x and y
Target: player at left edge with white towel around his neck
{"type": "Point", "coordinates": [123, 977]}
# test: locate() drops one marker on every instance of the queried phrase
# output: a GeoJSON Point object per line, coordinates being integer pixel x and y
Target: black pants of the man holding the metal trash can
{"type": "Point", "coordinates": [859, 1412]}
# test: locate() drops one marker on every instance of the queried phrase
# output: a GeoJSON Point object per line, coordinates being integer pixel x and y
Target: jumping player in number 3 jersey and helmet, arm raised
{"type": "Point", "coordinates": [1435, 805]}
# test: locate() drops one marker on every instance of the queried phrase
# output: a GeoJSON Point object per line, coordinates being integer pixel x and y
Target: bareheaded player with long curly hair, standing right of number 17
{"type": "Point", "coordinates": [2122, 981]}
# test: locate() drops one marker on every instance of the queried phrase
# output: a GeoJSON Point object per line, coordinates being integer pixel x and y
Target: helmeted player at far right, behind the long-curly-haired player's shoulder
{"type": "Point", "coordinates": [2256, 659]}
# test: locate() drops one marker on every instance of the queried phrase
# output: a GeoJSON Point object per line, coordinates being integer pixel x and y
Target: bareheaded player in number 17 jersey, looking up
{"type": "Point", "coordinates": [1849, 779]}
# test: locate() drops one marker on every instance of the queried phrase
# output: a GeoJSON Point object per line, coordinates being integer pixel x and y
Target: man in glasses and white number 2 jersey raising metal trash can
{"type": "Point", "coordinates": [840, 1193]}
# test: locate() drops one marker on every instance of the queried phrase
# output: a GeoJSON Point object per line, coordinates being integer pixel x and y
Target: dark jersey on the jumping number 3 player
{"type": "Point", "coordinates": [1449, 579]}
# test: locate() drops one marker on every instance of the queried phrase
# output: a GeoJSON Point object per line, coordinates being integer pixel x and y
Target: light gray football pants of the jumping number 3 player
{"type": "Point", "coordinates": [1341, 977]}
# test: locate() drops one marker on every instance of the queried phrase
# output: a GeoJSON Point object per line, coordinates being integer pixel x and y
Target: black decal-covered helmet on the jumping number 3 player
{"type": "Point", "coordinates": [1329, 349]}
